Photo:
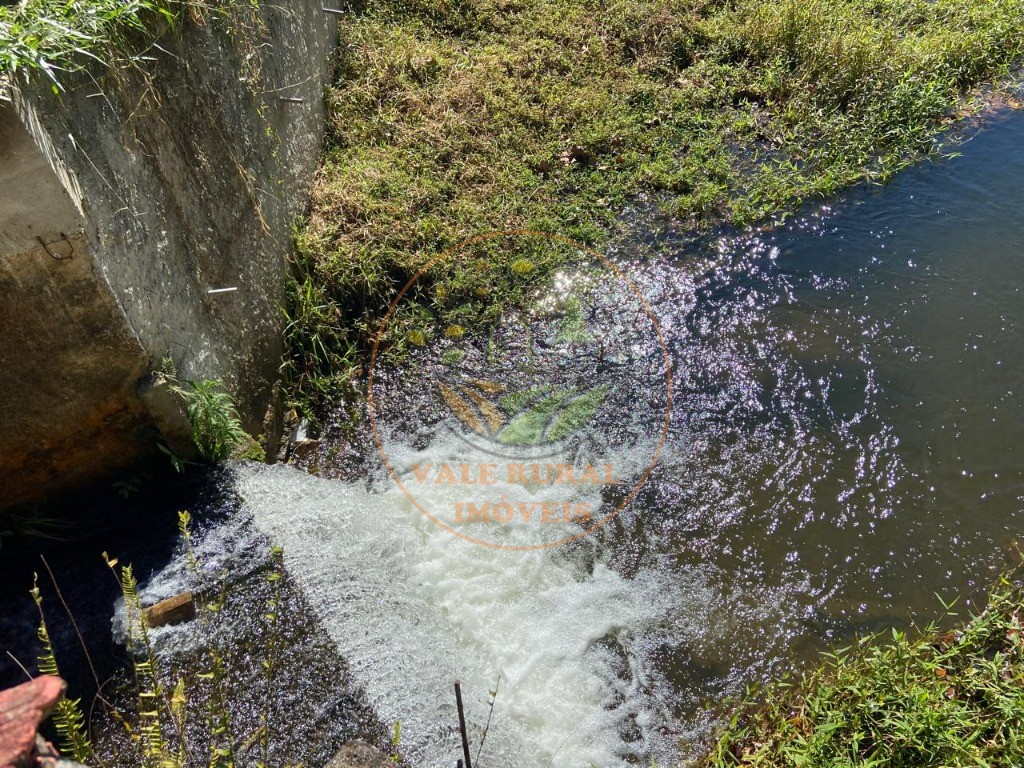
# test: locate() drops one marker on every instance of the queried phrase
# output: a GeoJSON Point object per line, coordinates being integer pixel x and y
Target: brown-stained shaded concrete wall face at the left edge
{"type": "Point", "coordinates": [68, 362]}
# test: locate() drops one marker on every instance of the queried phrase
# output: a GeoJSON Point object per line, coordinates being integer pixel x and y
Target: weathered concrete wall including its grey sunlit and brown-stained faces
{"type": "Point", "coordinates": [151, 189]}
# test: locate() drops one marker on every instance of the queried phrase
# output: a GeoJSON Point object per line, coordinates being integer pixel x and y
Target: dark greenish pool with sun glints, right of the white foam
{"type": "Point", "coordinates": [851, 397]}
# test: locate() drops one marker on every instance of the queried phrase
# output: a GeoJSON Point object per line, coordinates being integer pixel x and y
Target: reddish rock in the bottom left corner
{"type": "Point", "coordinates": [23, 709]}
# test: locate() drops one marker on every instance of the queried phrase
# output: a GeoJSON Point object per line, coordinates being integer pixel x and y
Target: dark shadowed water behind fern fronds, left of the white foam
{"type": "Point", "coordinates": [312, 703]}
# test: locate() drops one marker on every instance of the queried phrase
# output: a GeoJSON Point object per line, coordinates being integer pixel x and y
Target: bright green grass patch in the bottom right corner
{"type": "Point", "coordinates": [953, 699]}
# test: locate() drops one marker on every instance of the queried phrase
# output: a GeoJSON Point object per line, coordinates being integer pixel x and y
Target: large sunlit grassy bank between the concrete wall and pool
{"type": "Point", "coordinates": [455, 117]}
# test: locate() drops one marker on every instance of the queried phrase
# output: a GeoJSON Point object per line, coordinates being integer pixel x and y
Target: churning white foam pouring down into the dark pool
{"type": "Point", "coordinates": [413, 608]}
